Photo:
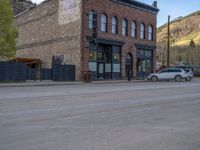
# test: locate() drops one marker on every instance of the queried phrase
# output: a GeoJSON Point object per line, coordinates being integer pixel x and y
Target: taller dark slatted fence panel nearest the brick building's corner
{"type": "Point", "coordinates": [63, 72]}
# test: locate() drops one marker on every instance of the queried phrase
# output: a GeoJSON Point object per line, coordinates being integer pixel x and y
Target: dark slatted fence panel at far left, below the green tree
{"type": "Point", "coordinates": [12, 71]}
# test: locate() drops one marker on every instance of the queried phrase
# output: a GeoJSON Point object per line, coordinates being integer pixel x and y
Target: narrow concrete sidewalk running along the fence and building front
{"type": "Point", "coordinates": [54, 83]}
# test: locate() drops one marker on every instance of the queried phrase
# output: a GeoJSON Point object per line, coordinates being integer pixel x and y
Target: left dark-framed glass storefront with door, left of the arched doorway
{"type": "Point", "coordinates": [104, 62]}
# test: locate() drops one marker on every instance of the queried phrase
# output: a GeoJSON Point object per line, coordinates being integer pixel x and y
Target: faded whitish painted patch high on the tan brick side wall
{"type": "Point", "coordinates": [69, 11]}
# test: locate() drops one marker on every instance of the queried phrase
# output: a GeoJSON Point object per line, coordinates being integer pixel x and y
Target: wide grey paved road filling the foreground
{"type": "Point", "coordinates": [118, 116]}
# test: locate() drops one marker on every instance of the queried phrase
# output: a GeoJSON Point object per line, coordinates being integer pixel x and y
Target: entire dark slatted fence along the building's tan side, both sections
{"type": "Point", "coordinates": [19, 71]}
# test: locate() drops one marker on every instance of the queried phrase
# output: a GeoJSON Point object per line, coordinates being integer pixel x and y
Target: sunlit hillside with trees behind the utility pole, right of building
{"type": "Point", "coordinates": [182, 31]}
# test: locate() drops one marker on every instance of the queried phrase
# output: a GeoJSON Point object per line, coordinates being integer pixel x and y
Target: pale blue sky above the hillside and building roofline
{"type": "Point", "coordinates": [174, 8]}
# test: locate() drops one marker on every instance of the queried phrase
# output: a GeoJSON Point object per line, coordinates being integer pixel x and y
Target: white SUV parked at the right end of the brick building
{"type": "Point", "coordinates": [168, 74]}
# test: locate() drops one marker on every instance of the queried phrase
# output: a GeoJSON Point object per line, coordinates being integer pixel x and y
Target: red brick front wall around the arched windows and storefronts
{"type": "Point", "coordinates": [120, 11]}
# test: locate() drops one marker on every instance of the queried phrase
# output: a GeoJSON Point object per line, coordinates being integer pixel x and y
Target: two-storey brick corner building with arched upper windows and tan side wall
{"type": "Point", "coordinates": [112, 38]}
